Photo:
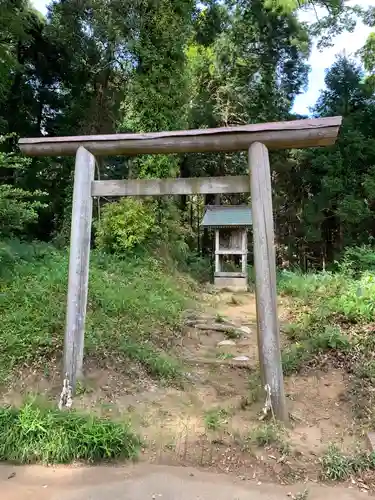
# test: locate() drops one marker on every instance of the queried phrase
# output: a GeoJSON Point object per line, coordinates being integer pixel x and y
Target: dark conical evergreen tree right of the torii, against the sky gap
{"type": "Point", "coordinates": [327, 195]}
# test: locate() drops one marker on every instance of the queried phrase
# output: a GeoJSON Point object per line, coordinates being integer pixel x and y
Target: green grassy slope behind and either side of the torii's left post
{"type": "Point", "coordinates": [133, 306]}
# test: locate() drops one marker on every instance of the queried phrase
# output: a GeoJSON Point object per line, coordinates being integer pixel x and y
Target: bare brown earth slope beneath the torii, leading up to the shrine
{"type": "Point", "coordinates": [173, 421]}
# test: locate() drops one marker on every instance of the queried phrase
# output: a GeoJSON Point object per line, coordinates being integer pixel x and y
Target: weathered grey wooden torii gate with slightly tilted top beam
{"type": "Point", "coordinates": [254, 138]}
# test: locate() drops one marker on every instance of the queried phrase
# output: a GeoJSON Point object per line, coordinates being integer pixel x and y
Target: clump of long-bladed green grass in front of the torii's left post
{"type": "Point", "coordinates": [35, 434]}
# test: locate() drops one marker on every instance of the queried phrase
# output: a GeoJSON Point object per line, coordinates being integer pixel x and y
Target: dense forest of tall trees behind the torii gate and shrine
{"type": "Point", "coordinates": [105, 66]}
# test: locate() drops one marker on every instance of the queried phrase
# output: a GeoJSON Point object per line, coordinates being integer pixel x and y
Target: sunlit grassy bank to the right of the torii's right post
{"type": "Point", "coordinates": [334, 312]}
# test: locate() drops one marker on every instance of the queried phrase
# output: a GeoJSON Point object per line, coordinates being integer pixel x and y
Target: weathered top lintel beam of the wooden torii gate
{"type": "Point", "coordinates": [275, 135]}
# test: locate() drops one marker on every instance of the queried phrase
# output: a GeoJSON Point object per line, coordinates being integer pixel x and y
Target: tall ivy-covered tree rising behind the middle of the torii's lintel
{"type": "Point", "coordinates": [156, 97]}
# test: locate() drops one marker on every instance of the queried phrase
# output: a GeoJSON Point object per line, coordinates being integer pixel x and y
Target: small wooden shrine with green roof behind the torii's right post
{"type": "Point", "coordinates": [230, 224]}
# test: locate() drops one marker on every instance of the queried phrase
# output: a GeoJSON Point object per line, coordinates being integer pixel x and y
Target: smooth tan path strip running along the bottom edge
{"type": "Point", "coordinates": [145, 482]}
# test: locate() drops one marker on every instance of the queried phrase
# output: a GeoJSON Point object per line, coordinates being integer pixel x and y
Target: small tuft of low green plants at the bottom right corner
{"type": "Point", "coordinates": [338, 467]}
